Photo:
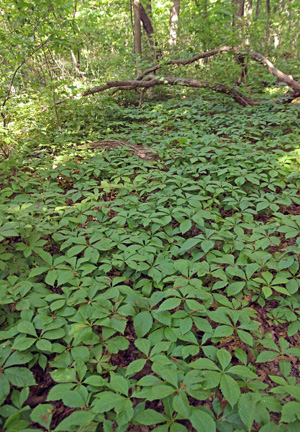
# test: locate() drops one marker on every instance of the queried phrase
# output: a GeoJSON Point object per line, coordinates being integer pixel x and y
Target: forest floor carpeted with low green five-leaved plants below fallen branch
{"type": "Point", "coordinates": [152, 293]}
